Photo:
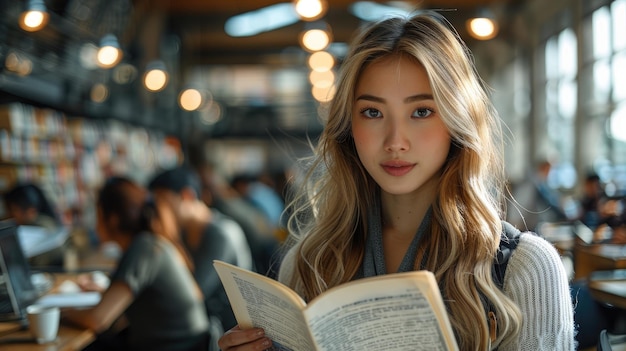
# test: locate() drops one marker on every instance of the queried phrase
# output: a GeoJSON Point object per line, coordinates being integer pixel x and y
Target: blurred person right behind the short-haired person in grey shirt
{"type": "Point", "coordinates": [219, 194]}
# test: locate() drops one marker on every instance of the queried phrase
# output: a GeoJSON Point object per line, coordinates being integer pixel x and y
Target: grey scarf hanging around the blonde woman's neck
{"type": "Point", "coordinates": [374, 258]}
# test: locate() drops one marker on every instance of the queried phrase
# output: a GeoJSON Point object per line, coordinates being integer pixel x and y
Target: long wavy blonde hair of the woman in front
{"type": "Point", "coordinates": [329, 224]}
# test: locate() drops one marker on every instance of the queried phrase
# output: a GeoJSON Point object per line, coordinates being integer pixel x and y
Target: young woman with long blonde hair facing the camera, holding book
{"type": "Point", "coordinates": [407, 175]}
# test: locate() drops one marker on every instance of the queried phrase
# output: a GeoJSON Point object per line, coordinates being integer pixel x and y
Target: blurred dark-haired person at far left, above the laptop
{"type": "Point", "coordinates": [27, 204]}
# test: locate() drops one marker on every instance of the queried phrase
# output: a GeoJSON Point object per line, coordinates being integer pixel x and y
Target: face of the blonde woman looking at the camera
{"type": "Point", "coordinates": [398, 132]}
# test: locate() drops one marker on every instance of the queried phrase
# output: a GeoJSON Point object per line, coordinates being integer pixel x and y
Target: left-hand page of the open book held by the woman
{"type": "Point", "coordinates": [262, 302]}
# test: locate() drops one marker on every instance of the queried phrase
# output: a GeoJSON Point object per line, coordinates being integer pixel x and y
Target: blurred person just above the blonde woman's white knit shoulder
{"type": "Point", "coordinates": [535, 201]}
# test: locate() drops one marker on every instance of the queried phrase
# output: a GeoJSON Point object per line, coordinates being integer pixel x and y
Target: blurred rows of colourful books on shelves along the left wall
{"type": "Point", "coordinates": [70, 156]}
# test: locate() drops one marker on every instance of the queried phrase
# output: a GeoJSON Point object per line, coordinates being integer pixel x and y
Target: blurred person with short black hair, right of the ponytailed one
{"type": "Point", "coordinates": [206, 233]}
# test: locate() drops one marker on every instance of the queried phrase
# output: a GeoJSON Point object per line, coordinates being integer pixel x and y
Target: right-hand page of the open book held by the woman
{"type": "Point", "coordinates": [382, 313]}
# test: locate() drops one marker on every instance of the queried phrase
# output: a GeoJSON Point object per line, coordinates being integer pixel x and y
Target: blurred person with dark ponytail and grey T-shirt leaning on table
{"type": "Point", "coordinates": [152, 287]}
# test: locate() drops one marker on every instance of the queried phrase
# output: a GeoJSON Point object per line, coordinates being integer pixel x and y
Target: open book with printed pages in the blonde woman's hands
{"type": "Point", "coordinates": [401, 311]}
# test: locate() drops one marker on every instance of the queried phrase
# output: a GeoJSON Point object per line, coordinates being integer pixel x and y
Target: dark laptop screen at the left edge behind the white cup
{"type": "Point", "coordinates": [16, 288]}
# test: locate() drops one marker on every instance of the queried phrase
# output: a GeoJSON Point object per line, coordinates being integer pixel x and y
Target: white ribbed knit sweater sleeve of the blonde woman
{"type": "Point", "coordinates": [537, 282]}
